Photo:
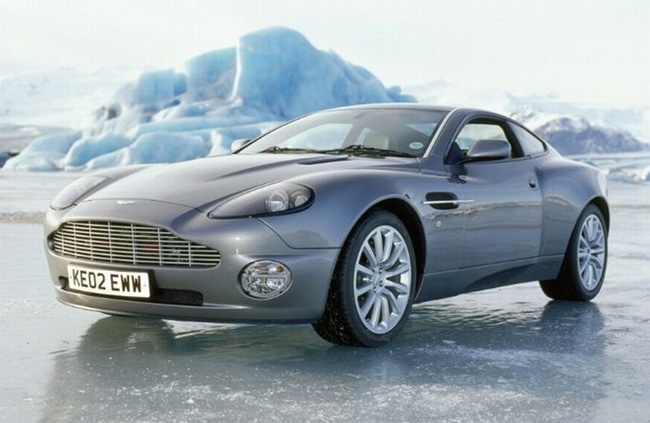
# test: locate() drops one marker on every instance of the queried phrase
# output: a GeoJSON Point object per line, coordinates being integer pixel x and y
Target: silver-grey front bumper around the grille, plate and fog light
{"type": "Point", "coordinates": [201, 294]}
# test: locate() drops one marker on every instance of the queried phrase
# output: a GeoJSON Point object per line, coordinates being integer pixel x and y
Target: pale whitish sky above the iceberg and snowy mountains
{"type": "Point", "coordinates": [591, 52]}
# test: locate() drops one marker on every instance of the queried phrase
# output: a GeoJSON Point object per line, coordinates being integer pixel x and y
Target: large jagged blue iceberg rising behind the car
{"type": "Point", "coordinates": [169, 115]}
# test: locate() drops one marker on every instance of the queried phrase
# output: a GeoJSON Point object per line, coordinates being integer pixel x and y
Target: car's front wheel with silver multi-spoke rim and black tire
{"type": "Point", "coordinates": [369, 302]}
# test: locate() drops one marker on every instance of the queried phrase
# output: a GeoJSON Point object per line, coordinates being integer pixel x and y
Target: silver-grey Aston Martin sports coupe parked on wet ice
{"type": "Point", "coordinates": [342, 218]}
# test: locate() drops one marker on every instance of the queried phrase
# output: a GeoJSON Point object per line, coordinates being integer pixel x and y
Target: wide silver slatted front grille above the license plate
{"type": "Point", "coordinates": [127, 243]}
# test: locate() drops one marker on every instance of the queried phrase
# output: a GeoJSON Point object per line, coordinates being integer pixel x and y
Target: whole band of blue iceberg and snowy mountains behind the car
{"type": "Point", "coordinates": [270, 76]}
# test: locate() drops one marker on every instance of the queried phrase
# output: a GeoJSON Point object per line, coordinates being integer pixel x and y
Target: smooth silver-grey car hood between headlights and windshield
{"type": "Point", "coordinates": [202, 183]}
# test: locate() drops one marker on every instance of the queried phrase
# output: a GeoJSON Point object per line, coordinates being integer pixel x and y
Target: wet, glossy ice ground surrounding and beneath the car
{"type": "Point", "coordinates": [507, 355]}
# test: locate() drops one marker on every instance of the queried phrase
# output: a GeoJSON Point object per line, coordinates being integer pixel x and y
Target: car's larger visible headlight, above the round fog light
{"type": "Point", "coordinates": [285, 197]}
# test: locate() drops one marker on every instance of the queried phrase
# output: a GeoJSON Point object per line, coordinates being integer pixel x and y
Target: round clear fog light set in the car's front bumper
{"type": "Point", "coordinates": [265, 279]}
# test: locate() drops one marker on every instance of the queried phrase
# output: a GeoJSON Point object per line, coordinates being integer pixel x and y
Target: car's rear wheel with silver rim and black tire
{"type": "Point", "coordinates": [585, 261]}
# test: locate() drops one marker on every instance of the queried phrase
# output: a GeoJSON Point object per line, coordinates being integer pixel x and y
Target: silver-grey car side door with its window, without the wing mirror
{"type": "Point", "coordinates": [502, 200]}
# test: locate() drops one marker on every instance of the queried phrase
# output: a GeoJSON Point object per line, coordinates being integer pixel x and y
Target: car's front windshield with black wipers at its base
{"type": "Point", "coordinates": [372, 132]}
